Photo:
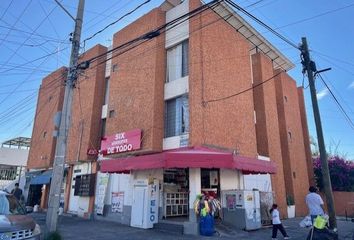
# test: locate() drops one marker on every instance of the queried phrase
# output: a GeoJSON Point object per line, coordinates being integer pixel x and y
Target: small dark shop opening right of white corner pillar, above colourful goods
{"type": "Point", "coordinates": [210, 182]}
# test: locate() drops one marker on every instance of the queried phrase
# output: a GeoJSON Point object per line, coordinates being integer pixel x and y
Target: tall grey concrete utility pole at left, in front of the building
{"type": "Point", "coordinates": [64, 124]}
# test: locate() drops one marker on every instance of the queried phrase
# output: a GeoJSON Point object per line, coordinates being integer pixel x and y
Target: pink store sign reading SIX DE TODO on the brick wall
{"type": "Point", "coordinates": [121, 142]}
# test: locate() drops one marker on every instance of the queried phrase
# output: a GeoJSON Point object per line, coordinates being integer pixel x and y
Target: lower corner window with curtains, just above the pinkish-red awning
{"type": "Point", "coordinates": [176, 116]}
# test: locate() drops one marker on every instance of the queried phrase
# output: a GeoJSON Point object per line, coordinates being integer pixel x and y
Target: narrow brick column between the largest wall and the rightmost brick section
{"type": "Point", "coordinates": [267, 125]}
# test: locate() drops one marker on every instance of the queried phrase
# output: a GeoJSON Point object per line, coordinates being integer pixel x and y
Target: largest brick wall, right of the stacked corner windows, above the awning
{"type": "Point", "coordinates": [215, 49]}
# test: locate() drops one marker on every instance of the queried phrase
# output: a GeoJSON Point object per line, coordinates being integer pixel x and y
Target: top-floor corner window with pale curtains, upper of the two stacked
{"type": "Point", "coordinates": [177, 61]}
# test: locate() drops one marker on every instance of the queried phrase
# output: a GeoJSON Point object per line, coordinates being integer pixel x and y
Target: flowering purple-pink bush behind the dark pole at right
{"type": "Point", "coordinates": [341, 172]}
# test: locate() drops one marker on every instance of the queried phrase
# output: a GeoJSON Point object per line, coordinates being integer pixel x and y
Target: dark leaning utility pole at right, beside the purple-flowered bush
{"type": "Point", "coordinates": [309, 67]}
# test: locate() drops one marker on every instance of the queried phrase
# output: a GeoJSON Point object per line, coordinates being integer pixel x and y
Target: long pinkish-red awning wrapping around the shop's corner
{"type": "Point", "coordinates": [191, 157]}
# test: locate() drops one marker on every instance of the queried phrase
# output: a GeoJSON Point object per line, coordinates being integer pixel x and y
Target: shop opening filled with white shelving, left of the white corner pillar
{"type": "Point", "coordinates": [175, 193]}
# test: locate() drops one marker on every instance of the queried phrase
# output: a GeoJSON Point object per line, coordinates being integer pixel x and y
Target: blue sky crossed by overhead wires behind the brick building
{"type": "Point", "coordinates": [34, 41]}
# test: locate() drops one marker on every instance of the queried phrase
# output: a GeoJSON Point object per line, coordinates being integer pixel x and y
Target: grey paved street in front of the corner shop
{"type": "Point", "coordinates": [77, 228]}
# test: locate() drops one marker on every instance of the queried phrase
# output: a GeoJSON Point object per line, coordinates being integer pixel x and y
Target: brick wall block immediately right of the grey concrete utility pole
{"type": "Point", "coordinates": [86, 112]}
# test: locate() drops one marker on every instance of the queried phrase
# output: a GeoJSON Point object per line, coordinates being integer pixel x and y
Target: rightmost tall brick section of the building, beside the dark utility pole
{"type": "Point", "coordinates": [292, 141]}
